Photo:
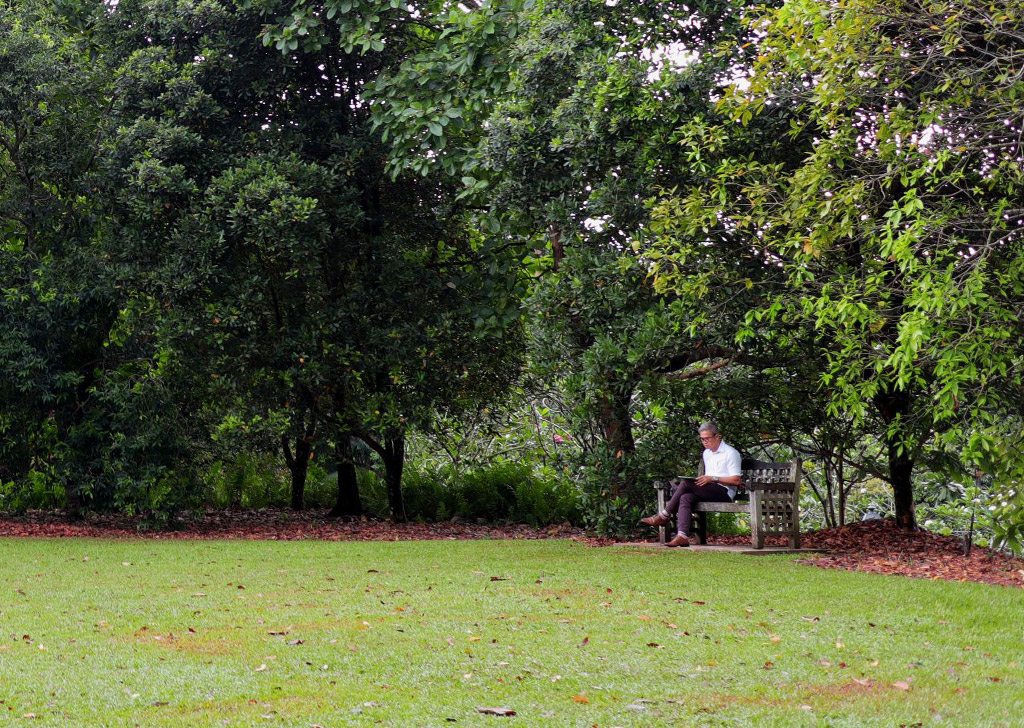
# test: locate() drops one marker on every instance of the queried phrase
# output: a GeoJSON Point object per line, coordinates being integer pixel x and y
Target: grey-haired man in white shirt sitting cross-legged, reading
{"type": "Point", "coordinates": [718, 485]}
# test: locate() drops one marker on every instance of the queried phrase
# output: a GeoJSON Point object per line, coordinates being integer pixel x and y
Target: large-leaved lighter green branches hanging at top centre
{"type": "Point", "coordinates": [439, 70]}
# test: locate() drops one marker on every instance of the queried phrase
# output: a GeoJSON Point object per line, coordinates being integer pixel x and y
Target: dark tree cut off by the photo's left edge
{"type": "Point", "coordinates": [59, 302]}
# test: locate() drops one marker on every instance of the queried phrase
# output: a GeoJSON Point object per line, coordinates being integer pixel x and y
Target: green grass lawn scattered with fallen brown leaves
{"type": "Point", "coordinates": [150, 633]}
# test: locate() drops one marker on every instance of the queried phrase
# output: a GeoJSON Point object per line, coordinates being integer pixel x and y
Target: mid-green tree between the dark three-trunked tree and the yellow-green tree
{"type": "Point", "coordinates": [593, 129]}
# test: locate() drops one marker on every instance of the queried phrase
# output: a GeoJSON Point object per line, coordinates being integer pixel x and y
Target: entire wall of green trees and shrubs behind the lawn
{"type": "Point", "coordinates": [212, 247]}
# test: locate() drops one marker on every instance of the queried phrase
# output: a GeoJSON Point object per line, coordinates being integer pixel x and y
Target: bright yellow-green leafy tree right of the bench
{"type": "Point", "coordinates": [902, 230]}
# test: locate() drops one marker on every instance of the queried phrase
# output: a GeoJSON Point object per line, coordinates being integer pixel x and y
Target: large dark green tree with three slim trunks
{"type": "Point", "coordinates": [293, 268]}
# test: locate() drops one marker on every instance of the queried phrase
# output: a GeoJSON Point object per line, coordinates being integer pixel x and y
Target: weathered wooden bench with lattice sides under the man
{"type": "Point", "coordinates": [774, 493]}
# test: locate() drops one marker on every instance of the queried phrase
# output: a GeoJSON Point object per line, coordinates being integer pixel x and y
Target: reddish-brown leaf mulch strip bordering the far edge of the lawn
{"type": "Point", "coordinates": [877, 547]}
